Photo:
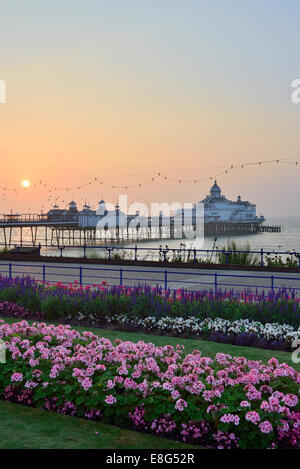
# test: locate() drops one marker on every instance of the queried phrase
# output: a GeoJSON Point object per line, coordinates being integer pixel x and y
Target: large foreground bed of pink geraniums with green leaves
{"type": "Point", "coordinates": [228, 402]}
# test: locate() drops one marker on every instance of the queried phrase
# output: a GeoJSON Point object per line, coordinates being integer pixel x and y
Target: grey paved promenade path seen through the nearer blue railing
{"type": "Point", "coordinates": [190, 279]}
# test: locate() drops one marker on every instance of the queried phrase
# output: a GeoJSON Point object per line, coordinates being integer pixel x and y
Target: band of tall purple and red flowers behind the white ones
{"type": "Point", "coordinates": [67, 301]}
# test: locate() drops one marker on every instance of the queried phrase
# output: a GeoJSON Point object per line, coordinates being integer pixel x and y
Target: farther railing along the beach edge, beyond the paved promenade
{"type": "Point", "coordinates": [164, 253]}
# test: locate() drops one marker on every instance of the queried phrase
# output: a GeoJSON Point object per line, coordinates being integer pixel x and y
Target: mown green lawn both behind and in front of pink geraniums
{"type": "Point", "coordinates": [23, 427]}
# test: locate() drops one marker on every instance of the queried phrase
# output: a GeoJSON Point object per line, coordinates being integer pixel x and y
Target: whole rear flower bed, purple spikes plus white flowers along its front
{"type": "Point", "coordinates": [230, 317]}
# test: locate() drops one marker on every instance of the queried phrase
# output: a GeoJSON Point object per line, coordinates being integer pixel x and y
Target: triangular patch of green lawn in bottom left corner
{"type": "Point", "coordinates": [23, 427]}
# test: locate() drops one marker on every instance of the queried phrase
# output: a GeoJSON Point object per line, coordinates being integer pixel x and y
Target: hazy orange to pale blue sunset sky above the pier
{"type": "Point", "coordinates": [123, 90]}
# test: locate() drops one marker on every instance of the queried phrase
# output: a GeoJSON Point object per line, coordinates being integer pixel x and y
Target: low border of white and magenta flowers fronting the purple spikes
{"type": "Point", "coordinates": [241, 332]}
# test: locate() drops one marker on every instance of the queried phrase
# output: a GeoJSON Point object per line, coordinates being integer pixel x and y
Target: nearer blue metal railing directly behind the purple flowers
{"type": "Point", "coordinates": [86, 275]}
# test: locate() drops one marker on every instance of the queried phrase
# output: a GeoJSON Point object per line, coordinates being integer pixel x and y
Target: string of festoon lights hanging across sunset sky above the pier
{"type": "Point", "coordinates": [153, 177]}
